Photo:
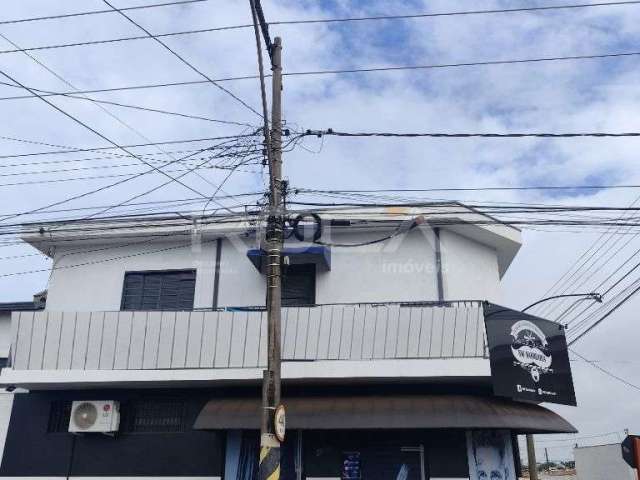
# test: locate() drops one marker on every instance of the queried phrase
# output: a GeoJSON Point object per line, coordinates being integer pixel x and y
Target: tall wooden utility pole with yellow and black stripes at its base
{"type": "Point", "coordinates": [269, 466]}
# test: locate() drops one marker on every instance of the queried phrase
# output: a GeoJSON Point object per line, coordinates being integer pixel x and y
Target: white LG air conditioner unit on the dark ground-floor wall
{"type": "Point", "coordinates": [94, 416]}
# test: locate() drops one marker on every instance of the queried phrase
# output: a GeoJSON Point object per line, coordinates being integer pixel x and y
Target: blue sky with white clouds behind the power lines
{"type": "Point", "coordinates": [589, 95]}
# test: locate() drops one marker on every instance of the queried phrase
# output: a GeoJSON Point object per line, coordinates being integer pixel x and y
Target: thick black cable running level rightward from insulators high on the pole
{"type": "Point", "coordinates": [331, 132]}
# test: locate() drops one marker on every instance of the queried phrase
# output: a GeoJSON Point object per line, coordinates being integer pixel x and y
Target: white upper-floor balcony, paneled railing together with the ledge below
{"type": "Point", "coordinates": [438, 341]}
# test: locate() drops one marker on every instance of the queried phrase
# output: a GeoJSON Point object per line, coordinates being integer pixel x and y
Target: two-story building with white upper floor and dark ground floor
{"type": "Point", "coordinates": [385, 361]}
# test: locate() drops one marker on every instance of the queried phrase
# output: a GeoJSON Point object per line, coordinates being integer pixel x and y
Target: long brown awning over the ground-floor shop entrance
{"type": "Point", "coordinates": [387, 412]}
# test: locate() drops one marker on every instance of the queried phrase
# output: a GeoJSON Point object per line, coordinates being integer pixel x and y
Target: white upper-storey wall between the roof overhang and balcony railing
{"type": "Point", "coordinates": [402, 269]}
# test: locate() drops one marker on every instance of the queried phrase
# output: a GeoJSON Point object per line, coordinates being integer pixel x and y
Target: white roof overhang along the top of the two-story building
{"type": "Point", "coordinates": [456, 217]}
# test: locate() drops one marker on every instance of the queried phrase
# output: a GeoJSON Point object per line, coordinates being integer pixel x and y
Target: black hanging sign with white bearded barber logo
{"type": "Point", "coordinates": [529, 357]}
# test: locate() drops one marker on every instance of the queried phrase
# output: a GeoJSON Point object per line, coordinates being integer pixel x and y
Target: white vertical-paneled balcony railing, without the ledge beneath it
{"type": "Point", "coordinates": [237, 338]}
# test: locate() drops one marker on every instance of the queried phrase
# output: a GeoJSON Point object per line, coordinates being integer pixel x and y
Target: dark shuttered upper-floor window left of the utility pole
{"type": "Point", "coordinates": [169, 290]}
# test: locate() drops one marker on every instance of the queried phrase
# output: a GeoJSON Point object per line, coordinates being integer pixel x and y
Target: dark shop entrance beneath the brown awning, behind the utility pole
{"type": "Point", "coordinates": [355, 455]}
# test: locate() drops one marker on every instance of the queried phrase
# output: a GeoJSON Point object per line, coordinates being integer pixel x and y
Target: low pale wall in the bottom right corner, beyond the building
{"type": "Point", "coordinates": [602, 462]}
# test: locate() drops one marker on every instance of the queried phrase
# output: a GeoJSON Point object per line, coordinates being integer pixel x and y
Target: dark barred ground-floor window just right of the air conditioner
{"type": "Point", "coordinates": [154, 416]}
